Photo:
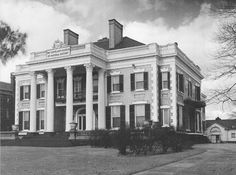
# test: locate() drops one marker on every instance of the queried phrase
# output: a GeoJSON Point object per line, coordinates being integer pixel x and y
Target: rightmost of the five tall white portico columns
{"type": "Point", "coordinates": [101, 99]}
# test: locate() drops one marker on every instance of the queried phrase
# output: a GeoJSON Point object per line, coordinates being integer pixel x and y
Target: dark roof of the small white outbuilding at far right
{"type": "Point", "coordinates": [227, 124]}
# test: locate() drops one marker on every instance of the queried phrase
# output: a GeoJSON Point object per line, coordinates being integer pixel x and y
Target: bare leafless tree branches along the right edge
{"type": "Point", "coordinates": [225, 58]}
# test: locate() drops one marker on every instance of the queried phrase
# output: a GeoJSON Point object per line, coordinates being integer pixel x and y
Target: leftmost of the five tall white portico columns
{"type": "Point", "coordinates": [33, 102]}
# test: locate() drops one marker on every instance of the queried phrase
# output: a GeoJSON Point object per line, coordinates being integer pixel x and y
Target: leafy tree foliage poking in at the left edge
{"type": "Point", "coordinates": [11, 42]}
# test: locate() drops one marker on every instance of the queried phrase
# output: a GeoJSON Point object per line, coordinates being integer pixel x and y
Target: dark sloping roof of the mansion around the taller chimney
{"type": "Point", "coordinates": [126, 42]}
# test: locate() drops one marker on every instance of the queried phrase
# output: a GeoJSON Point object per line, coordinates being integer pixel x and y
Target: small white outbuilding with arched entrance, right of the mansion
{"type": "Point", "coordinates": [219, 130]}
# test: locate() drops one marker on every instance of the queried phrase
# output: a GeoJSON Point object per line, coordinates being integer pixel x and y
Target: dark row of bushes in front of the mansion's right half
{"type": "Point", "coordinates": [145, 141]}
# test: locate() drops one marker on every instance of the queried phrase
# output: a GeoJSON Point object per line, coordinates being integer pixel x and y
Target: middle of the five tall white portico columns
{"type": "Point", "coordinates": [69, 96]}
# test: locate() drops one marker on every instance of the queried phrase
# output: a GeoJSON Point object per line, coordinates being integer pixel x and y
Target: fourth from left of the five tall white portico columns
{"type": "Point", "coordinates": [89, 96]}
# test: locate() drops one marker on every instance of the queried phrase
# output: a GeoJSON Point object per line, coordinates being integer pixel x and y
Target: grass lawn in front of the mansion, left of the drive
{"type": "Point", "coordinates": [79, 160]}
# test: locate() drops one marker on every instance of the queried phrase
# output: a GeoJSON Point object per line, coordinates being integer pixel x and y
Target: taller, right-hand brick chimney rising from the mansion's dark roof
{"type": "Point", "coordinates": [115, 33]}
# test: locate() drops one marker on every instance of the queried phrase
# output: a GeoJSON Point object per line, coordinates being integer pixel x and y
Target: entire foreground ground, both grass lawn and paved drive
{"type": "Point", "coordinates": [202, 159]}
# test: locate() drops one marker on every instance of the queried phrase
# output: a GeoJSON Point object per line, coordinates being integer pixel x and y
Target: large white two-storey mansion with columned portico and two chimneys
{"type": "Point", "coordinates": [107, 84]}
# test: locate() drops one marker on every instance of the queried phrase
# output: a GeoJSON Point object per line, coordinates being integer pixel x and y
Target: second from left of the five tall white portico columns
{"type": "Point", "coordinates": [50, 101]}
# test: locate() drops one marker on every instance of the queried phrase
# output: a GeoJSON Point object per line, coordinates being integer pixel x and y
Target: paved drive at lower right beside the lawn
{"type": "Point", "coordinates": [218, 159]}
